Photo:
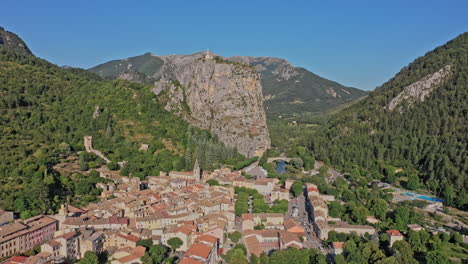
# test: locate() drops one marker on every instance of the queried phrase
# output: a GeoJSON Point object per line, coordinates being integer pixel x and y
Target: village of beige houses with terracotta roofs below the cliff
{"type": "Point", "coordinates": [197, 209]}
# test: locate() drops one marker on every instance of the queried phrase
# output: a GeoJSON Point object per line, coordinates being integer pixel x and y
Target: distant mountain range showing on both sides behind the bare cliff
{"type": "Point", "coordinates": [287, 90]}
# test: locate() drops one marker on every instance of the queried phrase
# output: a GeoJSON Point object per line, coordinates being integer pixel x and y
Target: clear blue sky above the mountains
{"type": "Point", "coordinates": [357, 43]}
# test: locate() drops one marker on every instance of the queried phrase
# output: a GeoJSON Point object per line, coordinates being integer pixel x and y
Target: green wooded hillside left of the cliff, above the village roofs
{"type": "Point", "coordinates": [46, 110]}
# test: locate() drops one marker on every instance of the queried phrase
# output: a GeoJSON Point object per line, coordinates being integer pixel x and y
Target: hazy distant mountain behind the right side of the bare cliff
{"type": "Point", "coordinates": [290, 90]}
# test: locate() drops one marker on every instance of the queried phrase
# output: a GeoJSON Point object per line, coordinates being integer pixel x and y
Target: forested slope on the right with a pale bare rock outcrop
{"type": "Point", "coordinates": [418, 118]}
